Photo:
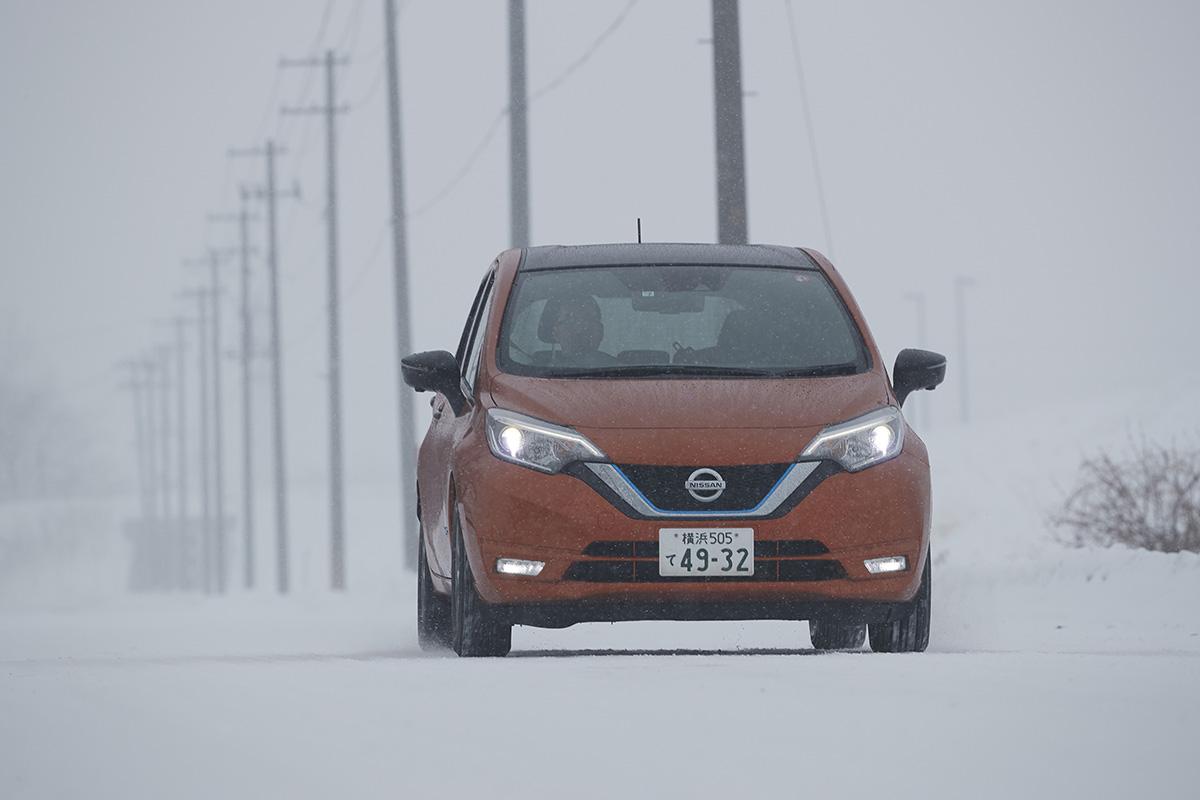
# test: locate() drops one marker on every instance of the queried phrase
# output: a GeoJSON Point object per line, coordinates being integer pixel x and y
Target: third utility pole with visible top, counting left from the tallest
{"type": "Point", "coordinates": [248, 354]}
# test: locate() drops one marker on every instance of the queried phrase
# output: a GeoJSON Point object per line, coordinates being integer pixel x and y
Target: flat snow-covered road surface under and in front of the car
{"type": "Point", "coordinates": [249, 699]}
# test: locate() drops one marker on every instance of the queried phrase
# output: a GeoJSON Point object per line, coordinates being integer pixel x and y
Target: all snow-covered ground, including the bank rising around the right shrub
{"type": "Point", "coordinates": [1053, 672]}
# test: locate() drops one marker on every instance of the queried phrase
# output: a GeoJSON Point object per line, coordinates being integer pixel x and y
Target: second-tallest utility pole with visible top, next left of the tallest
{"type": "Point", "coordinates": [269, 194]}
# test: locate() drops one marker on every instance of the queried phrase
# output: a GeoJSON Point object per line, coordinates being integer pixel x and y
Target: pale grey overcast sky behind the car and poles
{"type": "Point", "coordinates": [1046, 149]}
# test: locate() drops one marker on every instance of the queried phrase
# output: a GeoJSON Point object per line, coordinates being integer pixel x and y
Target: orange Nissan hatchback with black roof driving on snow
{"type": "Point", "coordinates": [671, 432]}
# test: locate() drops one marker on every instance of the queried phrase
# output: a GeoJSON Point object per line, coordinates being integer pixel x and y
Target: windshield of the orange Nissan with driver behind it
{"type": "Point", "coordinates": [679, 321]}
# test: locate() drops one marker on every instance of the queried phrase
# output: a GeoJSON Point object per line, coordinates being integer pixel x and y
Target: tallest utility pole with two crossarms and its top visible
{"type": "Point", "coordinates": [337, 478]}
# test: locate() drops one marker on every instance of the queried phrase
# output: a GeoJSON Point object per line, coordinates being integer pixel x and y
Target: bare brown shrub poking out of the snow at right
{"type": "Point", "coordinates": [1149, 501]}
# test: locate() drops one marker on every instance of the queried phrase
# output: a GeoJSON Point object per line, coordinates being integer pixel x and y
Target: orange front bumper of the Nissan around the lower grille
{"type": "Point", "coordinates": [514, 513]}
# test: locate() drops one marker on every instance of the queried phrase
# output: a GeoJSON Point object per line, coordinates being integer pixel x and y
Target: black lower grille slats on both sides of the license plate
{"type": "Point", "coordinates": [638, 563]}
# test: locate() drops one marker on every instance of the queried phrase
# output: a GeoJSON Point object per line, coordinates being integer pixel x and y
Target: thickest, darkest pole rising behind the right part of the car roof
{"type": "Point", "coordinates": [731, 177]}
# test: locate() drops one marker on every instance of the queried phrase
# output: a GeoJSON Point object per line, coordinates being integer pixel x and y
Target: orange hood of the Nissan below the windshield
{"type": "Point", "coordinates": [692, 404]}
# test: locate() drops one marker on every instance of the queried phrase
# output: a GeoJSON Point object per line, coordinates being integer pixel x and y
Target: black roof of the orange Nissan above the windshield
{"type": "Point", "coordinates": [553, 257]}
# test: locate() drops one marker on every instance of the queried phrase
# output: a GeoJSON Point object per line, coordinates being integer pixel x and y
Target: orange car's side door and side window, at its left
{"type": "Point", "coordinates": [446, 431]}
